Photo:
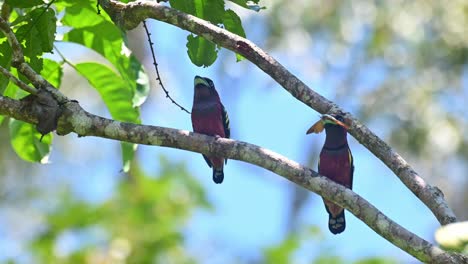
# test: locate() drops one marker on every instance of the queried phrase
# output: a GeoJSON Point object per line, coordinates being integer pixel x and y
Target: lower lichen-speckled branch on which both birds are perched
{"type": "Point", "coordinates": [75, 119]}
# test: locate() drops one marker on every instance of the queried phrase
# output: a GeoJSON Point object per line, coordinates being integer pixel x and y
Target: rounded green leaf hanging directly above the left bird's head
{"type": "Point", "coordinates": [201, 51]}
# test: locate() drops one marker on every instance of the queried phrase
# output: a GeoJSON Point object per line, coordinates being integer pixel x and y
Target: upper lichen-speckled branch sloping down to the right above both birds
{"type": "Point", "coordinates": [129, 15]}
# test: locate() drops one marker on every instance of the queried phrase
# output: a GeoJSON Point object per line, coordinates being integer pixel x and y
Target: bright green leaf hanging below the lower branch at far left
{"type": "Point", "coordinates": [25, 142]}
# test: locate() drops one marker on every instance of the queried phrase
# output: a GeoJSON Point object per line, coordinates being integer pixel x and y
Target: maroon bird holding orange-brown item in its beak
{"type": "Point", "coordinates": [335, 163]}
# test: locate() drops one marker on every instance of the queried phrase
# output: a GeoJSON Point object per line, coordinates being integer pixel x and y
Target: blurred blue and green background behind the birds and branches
{"type": "Point", "coordinates": [399, 66]}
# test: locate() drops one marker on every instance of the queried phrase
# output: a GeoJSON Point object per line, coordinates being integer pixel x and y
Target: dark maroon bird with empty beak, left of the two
{"type": "Point", "coordinates": [209, 117]}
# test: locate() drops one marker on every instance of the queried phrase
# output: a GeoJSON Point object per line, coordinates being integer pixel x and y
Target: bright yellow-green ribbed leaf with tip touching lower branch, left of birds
{"type": "Point", "coordinates": [115, 93]}
